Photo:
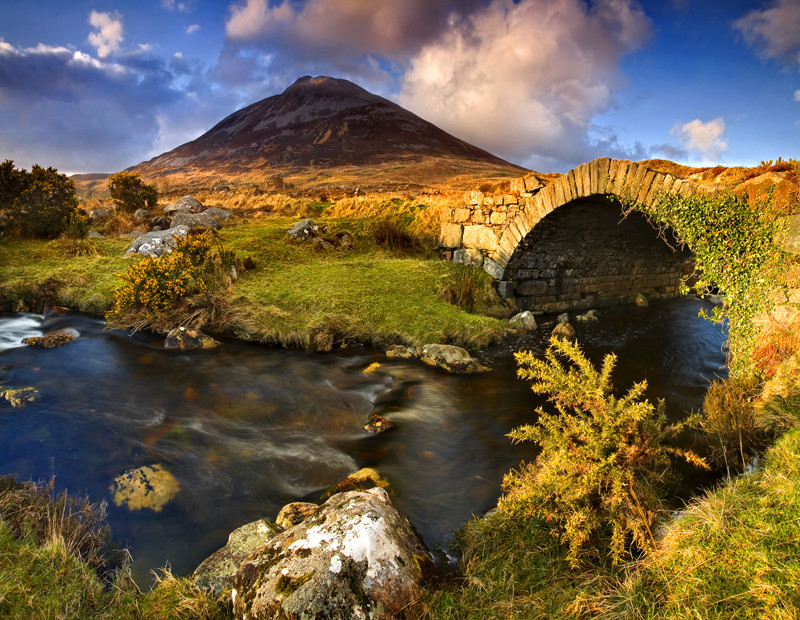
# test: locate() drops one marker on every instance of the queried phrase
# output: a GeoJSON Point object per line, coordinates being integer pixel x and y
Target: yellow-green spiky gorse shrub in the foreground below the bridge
{"type": "Point", "coordinates": [604, 461]}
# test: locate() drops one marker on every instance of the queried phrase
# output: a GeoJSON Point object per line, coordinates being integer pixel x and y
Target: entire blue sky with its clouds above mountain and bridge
{"type": "Point", "coordinates": [100, 85]}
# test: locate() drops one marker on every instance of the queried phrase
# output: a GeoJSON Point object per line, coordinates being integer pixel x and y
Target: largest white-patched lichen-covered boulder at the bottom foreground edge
{"type": "Point", "coordinates": [356, 557]}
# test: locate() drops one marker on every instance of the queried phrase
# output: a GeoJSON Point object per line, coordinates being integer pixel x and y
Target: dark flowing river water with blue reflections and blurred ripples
{"type": "Point", "coordinates": [246, 428]}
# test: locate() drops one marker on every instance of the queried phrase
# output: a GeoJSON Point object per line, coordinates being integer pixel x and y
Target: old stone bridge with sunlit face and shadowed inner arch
{"type": "Point", "coordinates": [566, 245]}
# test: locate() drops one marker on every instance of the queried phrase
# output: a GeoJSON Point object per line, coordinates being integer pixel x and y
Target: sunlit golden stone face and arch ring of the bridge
{"type": "Point", "coordinates": [486, 230]}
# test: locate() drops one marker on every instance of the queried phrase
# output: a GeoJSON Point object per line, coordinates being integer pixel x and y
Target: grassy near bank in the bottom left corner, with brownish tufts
{"type": "Point", "coordinates": [56, 562]}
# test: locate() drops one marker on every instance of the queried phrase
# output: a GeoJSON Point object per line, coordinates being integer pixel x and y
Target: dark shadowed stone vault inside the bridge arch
{"type": "Point", "coordinates": [586, 254]}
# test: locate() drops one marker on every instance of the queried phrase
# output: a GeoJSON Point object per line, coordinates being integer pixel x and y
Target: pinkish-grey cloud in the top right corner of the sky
{"type": "Point", "coordinates": [774, 32]}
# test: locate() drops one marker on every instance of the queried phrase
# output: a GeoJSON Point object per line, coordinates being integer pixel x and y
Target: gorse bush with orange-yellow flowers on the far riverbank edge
{"type": "Point", "coordinates": [198, 267]}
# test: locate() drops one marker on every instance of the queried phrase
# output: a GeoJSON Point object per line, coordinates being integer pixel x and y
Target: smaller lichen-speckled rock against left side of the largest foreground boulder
{"type": "Point", "coordinates": [217, 572]}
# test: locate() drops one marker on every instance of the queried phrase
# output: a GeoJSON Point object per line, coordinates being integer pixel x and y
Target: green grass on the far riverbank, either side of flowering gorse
{"type": "Point", "coordinates": [296, 296]}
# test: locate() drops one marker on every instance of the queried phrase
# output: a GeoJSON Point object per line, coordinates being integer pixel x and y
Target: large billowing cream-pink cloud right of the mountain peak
{"type": "Point", "coordinates": [524, 79]}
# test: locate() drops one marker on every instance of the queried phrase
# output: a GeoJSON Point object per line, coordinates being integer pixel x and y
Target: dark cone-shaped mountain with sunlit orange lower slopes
{"type": "Point", "coordinates": [321, 128]}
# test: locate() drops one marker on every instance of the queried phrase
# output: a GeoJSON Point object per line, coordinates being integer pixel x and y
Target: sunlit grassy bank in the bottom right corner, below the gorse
{"type": "Point", "coordinates": [732, 553]}
